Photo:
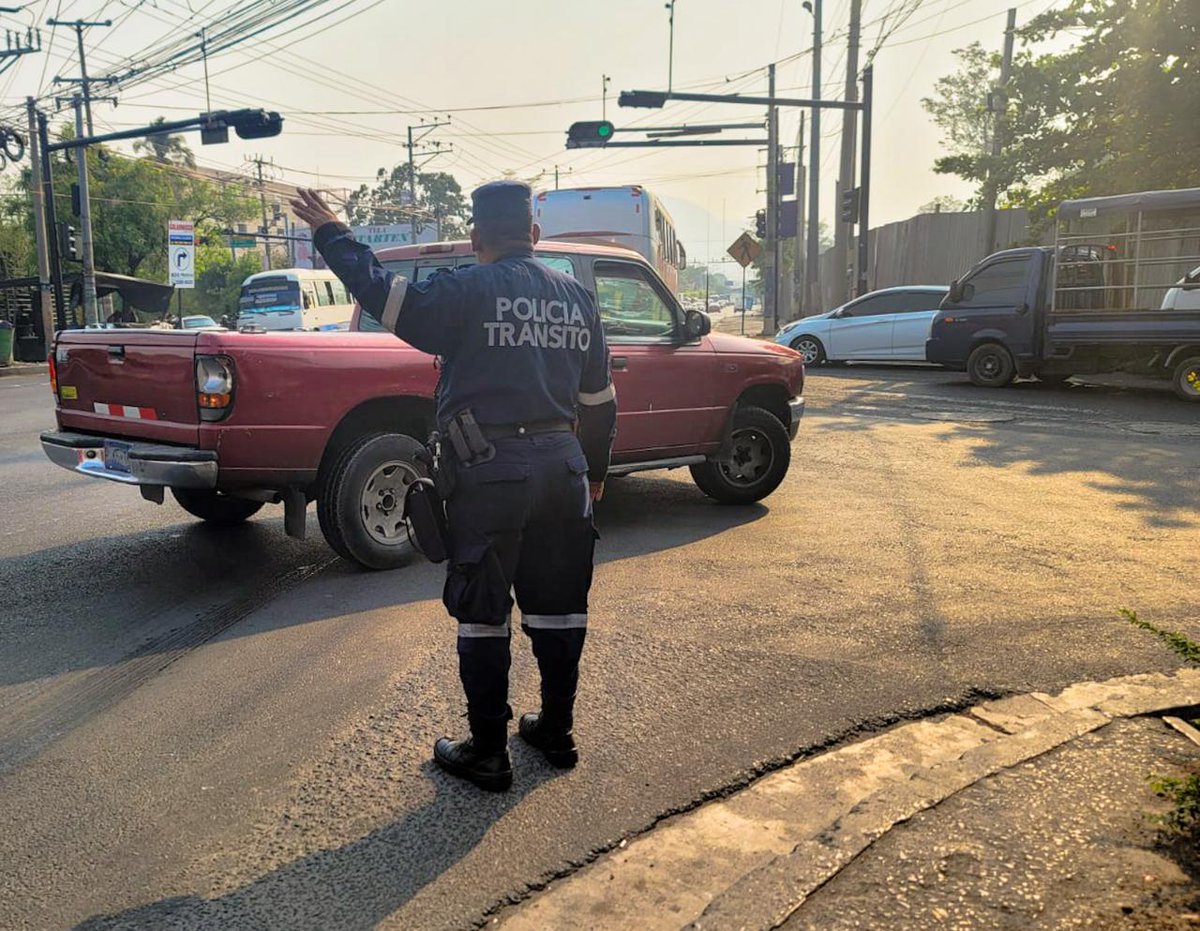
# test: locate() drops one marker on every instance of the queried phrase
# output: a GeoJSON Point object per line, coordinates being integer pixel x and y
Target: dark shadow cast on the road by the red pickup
{"type": "Point", "coordinates": [139, 594]}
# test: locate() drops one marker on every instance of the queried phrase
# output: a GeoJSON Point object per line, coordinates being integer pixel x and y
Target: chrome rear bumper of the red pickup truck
{"type": "Point", "coordinates": [178, 467]}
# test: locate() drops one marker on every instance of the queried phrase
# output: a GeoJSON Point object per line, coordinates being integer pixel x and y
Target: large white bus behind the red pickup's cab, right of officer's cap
{"type": "Point", "coordinates": [628, 217]}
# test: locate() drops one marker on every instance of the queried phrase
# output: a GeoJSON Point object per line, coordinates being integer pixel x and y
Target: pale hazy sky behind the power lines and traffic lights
{"type": "Point", "coordinates": [412, 61]}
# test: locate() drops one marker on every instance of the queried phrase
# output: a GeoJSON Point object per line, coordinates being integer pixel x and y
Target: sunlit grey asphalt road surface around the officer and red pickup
{"type": "Point", "coordinates": [232, 730]}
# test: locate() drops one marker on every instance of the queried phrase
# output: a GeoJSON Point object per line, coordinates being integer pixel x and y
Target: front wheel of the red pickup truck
{"type": "Point", "coordinates": [754, 464]}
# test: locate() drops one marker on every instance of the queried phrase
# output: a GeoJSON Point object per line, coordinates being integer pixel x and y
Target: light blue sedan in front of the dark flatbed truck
{"type": "Point", "coordinates": [887, 326]}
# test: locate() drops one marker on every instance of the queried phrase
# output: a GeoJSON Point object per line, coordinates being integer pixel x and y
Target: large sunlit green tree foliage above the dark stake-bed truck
{"type": "Point", "coordinates": [1114, 112]}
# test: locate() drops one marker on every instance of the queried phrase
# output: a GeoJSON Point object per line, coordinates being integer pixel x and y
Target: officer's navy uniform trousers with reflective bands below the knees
{"type": "Point", "coordinates": [520, 522]}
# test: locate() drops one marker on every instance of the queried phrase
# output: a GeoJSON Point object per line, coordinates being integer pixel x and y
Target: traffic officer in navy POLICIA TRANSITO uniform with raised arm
{"type": "Point", "coordinates": [526, 385]}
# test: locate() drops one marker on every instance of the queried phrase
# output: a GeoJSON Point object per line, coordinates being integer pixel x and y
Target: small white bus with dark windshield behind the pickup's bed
{"type": "Point", "coordinates": [295, 299]}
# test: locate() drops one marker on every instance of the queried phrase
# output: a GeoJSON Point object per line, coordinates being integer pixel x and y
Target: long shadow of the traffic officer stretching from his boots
{"type": "Point", "coordinates": [355, 886]}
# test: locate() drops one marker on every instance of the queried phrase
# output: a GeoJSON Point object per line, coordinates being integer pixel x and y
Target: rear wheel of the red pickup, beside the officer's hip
{"type": "Point", "coordinates": [361, 504]}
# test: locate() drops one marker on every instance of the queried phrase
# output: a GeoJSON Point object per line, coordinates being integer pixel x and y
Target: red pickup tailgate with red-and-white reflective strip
{"type": "Point", "coordinates": [129, 383]}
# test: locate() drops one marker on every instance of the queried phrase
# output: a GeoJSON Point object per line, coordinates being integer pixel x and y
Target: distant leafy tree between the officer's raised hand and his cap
{"type": "Point", "coordinates": [440, 201]}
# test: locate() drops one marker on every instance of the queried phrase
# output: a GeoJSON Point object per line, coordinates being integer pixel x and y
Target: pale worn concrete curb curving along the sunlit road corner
{"type": "Point", "coordinates": [752, 860]}
